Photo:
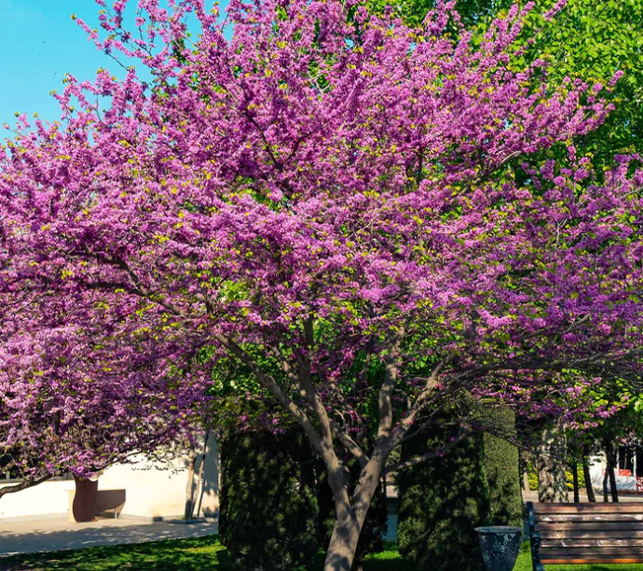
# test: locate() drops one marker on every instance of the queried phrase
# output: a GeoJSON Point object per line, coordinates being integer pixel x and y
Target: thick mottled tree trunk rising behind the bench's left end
{"type": "Point", "coordinates": [552, 484]}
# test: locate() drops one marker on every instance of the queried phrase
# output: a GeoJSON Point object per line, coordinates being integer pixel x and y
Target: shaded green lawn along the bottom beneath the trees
{"type": "Point", "coordinates": [201, 553]}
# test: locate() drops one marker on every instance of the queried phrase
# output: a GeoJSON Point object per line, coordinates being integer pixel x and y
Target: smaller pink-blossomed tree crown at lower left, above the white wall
{"type": "Point", "coordinates": [71, 406]}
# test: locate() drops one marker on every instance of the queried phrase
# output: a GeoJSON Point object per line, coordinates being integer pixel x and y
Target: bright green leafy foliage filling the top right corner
{"type": "Point", "coordinates": [592, 41]}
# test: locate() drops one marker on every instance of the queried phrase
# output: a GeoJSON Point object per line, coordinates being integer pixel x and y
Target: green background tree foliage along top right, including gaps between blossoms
{"type": "Point", "coordinates": [587, 40]}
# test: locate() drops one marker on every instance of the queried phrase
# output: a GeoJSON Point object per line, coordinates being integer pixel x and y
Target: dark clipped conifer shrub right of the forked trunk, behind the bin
{"type": "Point", "coordinates": [443, 500]}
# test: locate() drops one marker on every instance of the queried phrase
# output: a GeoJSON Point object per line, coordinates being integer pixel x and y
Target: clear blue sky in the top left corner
{"type": "Point", "coordinates": [39, 44]}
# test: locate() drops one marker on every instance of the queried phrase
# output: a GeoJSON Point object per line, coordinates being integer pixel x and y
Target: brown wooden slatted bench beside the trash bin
{"type": "Point", "coordinates": [572, 534]}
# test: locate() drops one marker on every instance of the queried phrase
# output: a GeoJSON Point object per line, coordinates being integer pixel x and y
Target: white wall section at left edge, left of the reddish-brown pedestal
{"type": "Point", "coordinates": [45, 500]}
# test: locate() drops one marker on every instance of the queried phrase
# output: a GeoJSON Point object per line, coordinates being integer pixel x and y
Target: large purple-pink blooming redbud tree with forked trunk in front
{"type": "Point", "coordinates": [331, 199]}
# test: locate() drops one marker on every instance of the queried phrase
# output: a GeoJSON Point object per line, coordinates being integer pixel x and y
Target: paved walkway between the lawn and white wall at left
{"type": "Point", "coordinates": [59, 534]}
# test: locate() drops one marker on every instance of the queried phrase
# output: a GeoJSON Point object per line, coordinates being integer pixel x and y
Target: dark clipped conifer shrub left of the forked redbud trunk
{"type": "Point", "coordinates": [268, 512]}
